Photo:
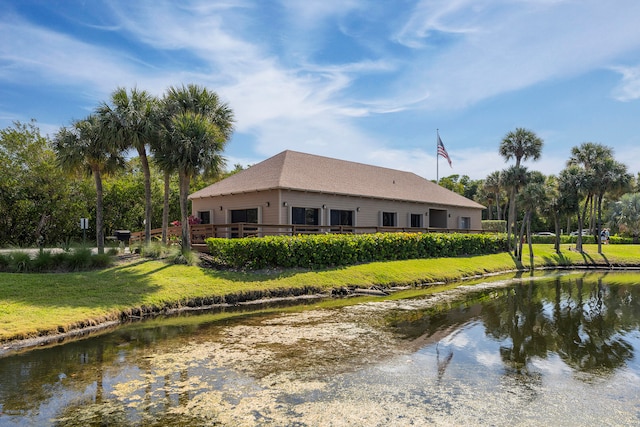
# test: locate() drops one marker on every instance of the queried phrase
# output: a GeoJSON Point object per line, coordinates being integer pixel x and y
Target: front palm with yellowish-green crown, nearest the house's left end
{"type": "Point", "coordinates": [197, 144]}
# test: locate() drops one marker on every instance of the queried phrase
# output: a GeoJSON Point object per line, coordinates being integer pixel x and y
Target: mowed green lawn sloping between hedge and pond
{"type": "Point", "coordinates": [41, 304]}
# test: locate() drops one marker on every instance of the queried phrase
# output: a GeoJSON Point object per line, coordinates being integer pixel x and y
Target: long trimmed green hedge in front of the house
{"type": "Point", "coordinates": [327, 250]}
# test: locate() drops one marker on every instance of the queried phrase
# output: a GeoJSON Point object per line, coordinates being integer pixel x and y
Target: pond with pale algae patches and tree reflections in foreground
{"type": "Point", "coordinates": [556, 349]}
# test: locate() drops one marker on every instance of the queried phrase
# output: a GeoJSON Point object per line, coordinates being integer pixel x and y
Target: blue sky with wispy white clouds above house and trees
{"type": "Point", "coordinates": [361, 80]}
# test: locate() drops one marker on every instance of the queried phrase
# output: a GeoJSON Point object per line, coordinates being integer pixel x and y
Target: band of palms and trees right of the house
{"type": "Point", "coordinates": [594, 191]}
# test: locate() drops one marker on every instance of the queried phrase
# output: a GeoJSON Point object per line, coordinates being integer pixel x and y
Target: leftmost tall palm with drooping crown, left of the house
{"type": "Point", "coordinates": [83, 147]}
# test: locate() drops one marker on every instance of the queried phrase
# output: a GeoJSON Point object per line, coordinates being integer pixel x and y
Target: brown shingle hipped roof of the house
{"type": "Point", "coordinates": [307, 172]}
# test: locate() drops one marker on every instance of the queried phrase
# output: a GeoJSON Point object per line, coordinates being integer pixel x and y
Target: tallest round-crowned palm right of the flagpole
{"type": "Point", "coordinates": [521, 144]}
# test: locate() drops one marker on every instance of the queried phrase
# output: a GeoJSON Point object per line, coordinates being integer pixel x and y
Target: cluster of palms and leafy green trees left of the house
{"type": "Point", "coordinates": [181, 134]}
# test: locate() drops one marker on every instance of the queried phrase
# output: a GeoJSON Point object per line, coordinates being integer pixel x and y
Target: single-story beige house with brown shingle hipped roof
{"type": "Point", "coordinates": [293, 188]}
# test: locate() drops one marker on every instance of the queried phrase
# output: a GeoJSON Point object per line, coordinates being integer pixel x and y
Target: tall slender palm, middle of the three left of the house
{"type": "Point", "coordinates": [130, 122]}
